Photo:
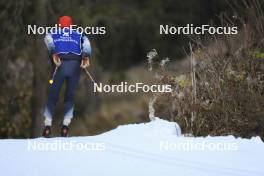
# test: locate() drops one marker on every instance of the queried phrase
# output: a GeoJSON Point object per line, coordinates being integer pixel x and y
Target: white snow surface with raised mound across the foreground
{"type": "Point", "coordinates": [133, 150]}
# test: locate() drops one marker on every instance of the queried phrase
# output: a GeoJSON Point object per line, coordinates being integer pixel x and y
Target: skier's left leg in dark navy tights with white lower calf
{"type": "Point", "coordinates": [53, 96]}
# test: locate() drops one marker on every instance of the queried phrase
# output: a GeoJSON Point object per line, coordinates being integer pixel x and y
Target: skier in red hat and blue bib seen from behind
{"type": "Point", "coordinates": [70, 51]}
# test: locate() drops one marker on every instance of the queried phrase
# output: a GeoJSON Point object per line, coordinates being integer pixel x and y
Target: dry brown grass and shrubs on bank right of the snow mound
{"type": "Point", "coordinates": [224, 91]}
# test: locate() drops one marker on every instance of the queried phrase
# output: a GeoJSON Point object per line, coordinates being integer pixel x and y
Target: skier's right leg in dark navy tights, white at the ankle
{"type": "Point", "coordinates": [71, 85]}
